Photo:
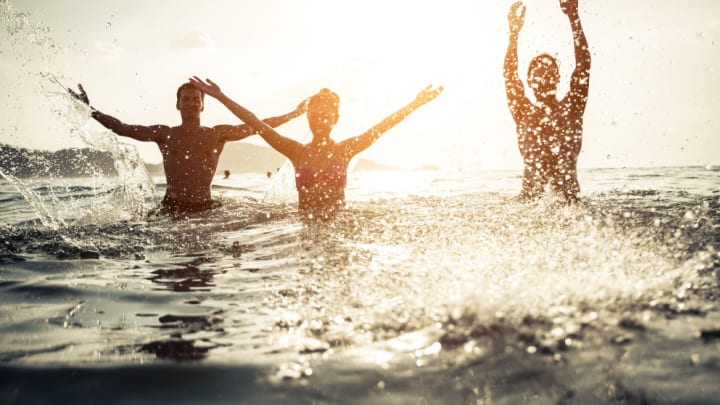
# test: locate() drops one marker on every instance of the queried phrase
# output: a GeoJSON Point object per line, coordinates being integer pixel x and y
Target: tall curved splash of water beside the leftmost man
{"type": "Point", "coordinates": [32, 46]}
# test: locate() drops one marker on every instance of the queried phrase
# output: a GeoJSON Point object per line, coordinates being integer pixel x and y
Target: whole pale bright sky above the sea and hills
{"type": "Point", "coordinates": [654, 90]}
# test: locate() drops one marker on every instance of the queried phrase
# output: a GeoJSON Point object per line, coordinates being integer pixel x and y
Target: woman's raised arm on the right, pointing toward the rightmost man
{"type": "Point", "coordinates": [355, 145]}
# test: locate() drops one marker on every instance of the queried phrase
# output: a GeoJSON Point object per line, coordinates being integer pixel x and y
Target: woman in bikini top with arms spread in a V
{"type": "Point", "coordinates": [321, 165]}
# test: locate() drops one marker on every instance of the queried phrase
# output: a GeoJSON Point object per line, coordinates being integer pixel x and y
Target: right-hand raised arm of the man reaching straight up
{"type": "Point", "coordinates": [580, 80]}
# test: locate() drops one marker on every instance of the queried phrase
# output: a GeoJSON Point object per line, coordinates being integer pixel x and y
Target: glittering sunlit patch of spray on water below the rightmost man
{"type": "Point", "coordinates": [464, 265]}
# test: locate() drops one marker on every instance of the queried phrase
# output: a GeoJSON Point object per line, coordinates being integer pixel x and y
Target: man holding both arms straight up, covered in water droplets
{"type": "Point", "coordinates": [549, 130]}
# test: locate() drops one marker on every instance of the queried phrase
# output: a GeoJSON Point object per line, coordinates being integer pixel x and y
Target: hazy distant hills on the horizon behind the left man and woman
{"type": "Point", "coordinates": [237, 157]}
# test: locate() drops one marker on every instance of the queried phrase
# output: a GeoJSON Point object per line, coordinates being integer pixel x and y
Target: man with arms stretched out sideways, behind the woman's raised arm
{"type": "Point", "coordinates": [190, 151]}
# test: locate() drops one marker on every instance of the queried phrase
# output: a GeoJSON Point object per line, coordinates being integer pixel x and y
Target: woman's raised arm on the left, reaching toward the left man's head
{"type": "Point", "coordinates": [286, 146]}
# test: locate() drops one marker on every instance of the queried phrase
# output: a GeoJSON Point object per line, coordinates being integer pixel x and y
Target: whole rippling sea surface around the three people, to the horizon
{"type": "Point", "coordinates": [433, 287]}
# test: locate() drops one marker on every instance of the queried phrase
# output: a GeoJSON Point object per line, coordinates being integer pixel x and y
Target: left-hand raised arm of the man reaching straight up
{"type": "Point", "coordinates": [514, 88]}
